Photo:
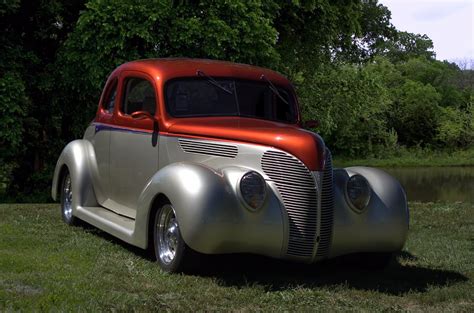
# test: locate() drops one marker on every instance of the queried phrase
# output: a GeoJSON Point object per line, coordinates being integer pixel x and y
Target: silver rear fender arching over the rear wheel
{"type": "Point", "coordinates": [76, 157]}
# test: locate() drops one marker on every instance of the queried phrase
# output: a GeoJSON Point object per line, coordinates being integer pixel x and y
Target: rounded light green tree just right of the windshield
{"type": "Point", "coordinates": [350, 102]}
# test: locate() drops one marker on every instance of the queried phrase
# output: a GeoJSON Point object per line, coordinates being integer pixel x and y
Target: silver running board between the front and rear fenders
{"type": "Point", "coordinates": [117, 225]}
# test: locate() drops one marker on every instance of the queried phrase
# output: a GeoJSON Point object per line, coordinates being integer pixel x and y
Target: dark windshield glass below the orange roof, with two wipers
{"type": "Point", "coordinates": [193, 97]}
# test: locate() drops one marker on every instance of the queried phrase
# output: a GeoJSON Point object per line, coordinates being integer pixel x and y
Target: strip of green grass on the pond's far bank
{"type": "Point", "coordinates": [413, 157]}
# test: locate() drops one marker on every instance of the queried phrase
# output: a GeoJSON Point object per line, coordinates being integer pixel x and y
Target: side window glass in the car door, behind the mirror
{"type": "Point", "coordinates": [139, 96]}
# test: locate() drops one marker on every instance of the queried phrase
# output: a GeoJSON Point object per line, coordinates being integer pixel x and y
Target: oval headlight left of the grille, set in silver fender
{"type": "Point", "coordinates": [253, 189]}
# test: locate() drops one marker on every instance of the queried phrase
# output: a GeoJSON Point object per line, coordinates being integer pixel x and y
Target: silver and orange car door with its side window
{"type": "Point", "coordinates": [133, 156]}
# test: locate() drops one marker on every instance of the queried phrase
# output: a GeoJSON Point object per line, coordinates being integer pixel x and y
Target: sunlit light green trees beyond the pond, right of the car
{"type": "Point", "coordinates": [417, 103]}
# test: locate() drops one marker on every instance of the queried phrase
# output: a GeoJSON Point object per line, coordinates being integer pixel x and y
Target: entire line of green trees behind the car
{"type": "Point", "coordinates": [373, 88]}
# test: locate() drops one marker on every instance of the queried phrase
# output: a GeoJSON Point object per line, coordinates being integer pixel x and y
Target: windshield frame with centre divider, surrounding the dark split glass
{"type": "Point", "coordinates": [289, 93]}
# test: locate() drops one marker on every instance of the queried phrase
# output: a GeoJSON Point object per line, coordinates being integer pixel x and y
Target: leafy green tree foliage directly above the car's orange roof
{"type": "Point", "coordinates": [108, 35]}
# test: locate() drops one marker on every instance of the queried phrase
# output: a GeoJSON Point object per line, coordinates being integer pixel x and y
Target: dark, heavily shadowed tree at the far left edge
{"type": "Point", "coordinates": [31, 34]}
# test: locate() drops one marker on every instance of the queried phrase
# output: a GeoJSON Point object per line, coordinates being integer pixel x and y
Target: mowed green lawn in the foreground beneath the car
{"type": "Point", "coordinates": [46, 265]}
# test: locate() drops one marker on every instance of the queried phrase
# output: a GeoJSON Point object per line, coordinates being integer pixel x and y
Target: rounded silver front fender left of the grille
{"type": "Point", "coordinates": [211, 216]}
